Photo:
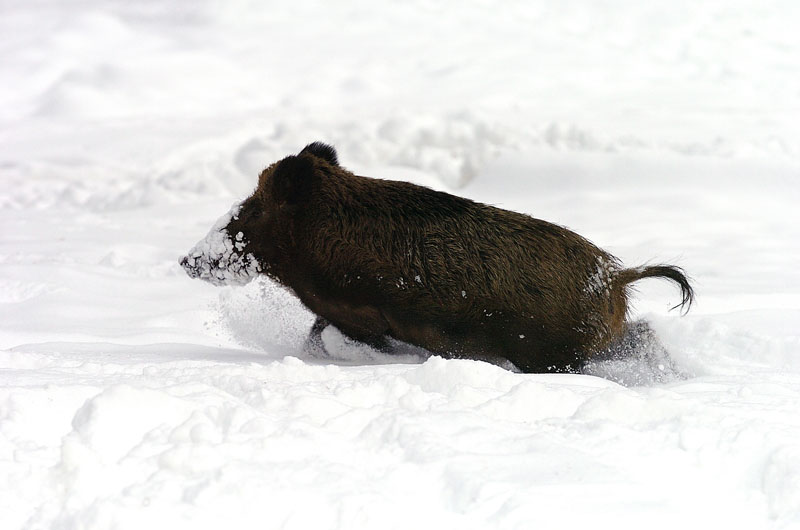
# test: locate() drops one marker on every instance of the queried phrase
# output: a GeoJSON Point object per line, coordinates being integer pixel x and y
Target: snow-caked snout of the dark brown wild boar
{"type": "Point", "coordinates": [222, 258]}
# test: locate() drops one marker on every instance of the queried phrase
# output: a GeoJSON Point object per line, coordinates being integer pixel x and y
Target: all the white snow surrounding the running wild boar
{"type": "Point", "coordinates": [134, 396]}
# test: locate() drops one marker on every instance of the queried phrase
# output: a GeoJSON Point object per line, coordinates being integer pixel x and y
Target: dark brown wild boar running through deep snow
{"type": "Point", "coordinates": [384, 260]}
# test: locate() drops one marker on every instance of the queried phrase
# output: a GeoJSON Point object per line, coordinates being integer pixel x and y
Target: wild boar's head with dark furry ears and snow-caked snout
{"type": "Point", "coordinates": [256, 235]}
